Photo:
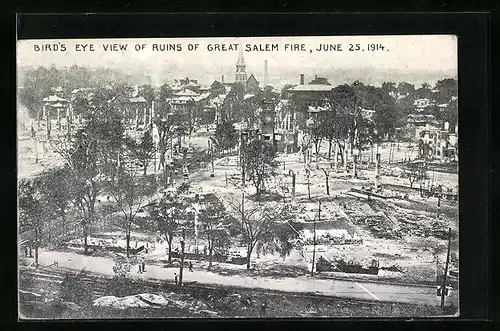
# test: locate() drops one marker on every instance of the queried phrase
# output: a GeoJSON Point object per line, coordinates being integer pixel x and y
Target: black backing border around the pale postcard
{"type": "Point", "coordinates": [474, 65]}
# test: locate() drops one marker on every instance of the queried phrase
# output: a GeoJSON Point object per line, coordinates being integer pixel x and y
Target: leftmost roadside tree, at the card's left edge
{"type": "Point", "coordinates": [32, 211]}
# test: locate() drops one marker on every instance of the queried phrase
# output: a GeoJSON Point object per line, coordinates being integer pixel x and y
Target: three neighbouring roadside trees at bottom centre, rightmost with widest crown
{"type": "Point", "coordinates": [267, 228]}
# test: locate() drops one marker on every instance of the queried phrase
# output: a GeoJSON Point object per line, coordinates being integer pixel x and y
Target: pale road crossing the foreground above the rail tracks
{"type": "Point", "coordinates": [338, 288]}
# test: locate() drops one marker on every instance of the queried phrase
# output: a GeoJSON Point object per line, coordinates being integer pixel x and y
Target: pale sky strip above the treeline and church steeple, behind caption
{"type": "Point", "coordinates": [416, 59]}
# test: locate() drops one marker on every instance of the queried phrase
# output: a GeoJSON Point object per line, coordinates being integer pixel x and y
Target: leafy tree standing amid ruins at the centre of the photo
{"type": "Point", "coordinates": [260, 163]}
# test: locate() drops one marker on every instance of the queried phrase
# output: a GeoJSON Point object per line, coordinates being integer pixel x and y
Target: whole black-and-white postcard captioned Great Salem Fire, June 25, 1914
{"type": "Point", "coordinates": [249, 177]}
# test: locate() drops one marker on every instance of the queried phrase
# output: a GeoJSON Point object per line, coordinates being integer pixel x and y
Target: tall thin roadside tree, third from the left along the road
{"type": "Point", "coordinates": [129, 195]}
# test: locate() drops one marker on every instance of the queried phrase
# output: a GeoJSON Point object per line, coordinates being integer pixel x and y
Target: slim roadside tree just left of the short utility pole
{"type": "Point", "coordinates": [166, 213]}
